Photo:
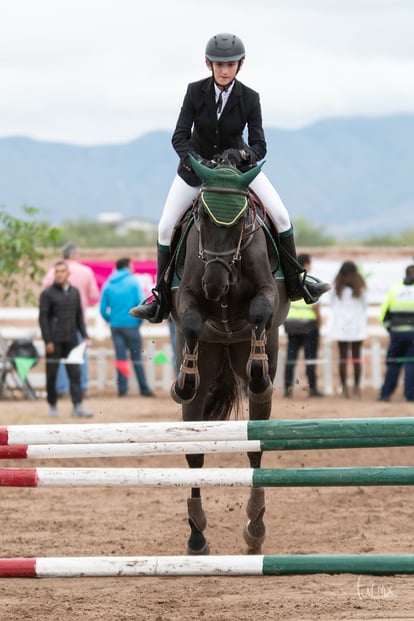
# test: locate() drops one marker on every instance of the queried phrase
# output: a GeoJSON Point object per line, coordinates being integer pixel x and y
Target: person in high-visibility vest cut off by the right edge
{"type": "Point", "coordinates": [397, 316]}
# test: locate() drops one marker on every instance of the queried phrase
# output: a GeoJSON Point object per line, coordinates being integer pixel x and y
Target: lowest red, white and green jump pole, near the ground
{"type": "Point", "coordinates": [251, 565]}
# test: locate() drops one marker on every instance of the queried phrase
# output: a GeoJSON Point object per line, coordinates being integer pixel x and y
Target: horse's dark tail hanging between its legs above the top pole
{"type": "Point", "coordinates": [224, 394]}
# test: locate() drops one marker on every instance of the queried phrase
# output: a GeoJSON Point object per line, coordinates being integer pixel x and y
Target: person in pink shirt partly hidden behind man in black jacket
{"type": "Point", "coordinates": [83, 278]}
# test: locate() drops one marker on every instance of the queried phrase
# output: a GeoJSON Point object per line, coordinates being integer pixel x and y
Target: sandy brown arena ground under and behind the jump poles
{"type": "Point", "coordinates": [126, 521]}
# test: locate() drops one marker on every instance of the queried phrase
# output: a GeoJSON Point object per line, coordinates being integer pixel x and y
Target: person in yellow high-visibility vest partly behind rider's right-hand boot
{"type": "Point", "coordinates": [302, 329]}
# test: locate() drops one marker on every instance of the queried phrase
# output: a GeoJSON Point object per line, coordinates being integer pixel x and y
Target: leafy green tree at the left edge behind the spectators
{"type": "Point", "coordinates": [23, 243]}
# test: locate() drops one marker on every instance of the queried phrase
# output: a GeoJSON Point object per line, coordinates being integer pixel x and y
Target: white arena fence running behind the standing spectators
{"type": "Point", "coordinates": [158, 351]}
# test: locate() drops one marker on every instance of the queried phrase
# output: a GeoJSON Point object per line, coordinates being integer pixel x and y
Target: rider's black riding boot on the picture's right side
{"type": "Point", "coordinates": [298, 283]}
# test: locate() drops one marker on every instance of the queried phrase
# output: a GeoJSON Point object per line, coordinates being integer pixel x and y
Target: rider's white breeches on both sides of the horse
{"type": "Point", "coordinates": [181, 196]}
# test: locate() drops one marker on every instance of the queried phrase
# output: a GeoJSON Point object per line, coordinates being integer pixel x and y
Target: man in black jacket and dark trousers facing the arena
{"type": "Point", "coordinates": [61, 319]}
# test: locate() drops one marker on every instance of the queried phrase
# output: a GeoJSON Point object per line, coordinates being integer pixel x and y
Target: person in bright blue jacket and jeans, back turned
{"type": "Point", "coordinates": [121, 292]}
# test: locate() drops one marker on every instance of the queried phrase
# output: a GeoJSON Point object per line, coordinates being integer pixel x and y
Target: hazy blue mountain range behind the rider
{"type": "Point", "coordinates": [355, 176]}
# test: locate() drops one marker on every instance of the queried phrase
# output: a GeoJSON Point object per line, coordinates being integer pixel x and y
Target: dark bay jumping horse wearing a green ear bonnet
{"type": "Point", "coordinates": [227, 310]}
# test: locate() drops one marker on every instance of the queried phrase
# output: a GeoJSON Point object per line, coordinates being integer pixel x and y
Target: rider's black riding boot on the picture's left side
{"type": "Point", "coordinates": [157, 306]}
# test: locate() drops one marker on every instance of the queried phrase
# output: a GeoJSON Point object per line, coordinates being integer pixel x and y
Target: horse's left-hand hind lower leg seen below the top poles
{"type": "Point", "coordinates": [197, 543]}
